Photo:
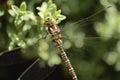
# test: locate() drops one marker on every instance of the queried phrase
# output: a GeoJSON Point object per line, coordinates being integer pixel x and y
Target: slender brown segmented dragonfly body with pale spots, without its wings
{"type": "Point", "coordinates": [56, 37]}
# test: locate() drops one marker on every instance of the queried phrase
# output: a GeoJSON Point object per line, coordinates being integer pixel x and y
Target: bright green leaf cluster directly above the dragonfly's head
{"type": "Point", "coordinates": [50, 10]}
